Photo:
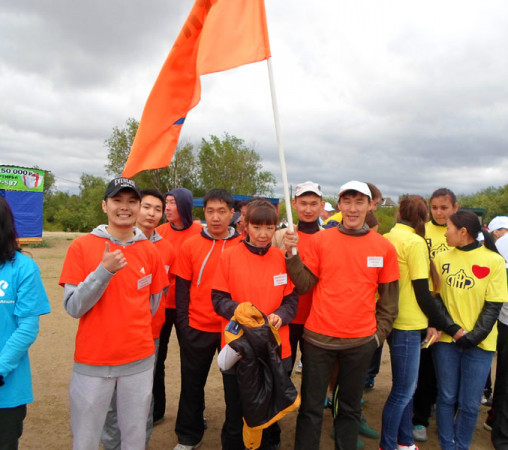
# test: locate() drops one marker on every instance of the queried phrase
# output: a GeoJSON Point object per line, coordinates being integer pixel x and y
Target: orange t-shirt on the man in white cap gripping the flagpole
{"type": "Point", "coordinates": [349, 269]}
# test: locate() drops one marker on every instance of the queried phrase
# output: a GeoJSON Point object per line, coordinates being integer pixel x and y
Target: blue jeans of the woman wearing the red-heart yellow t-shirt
{"type": "Point", "coordinates": [461, 376]}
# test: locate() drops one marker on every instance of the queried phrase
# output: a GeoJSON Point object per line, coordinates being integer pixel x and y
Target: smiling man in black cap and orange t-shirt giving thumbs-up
{"type": "Point", "coordinates": [114, 280]}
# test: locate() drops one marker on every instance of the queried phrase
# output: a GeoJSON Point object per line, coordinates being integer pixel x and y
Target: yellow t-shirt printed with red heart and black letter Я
{"type": "Point", "coordinates": [468, 280]}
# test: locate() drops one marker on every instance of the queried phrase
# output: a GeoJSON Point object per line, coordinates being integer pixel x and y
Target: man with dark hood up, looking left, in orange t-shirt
{"type": "Point", "coordinates": [179, 228]}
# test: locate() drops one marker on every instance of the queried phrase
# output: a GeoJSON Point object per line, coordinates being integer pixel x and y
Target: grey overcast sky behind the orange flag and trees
{"type": "Point", "coordinates": [410, 95]}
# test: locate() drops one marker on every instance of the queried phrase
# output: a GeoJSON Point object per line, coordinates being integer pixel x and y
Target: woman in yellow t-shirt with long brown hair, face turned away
{"type": "Point", "coordinates": [416, 304]}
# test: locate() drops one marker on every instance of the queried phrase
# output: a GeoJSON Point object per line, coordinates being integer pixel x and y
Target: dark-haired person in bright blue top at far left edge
{"type": "Point", "coordinates": [22, 300]}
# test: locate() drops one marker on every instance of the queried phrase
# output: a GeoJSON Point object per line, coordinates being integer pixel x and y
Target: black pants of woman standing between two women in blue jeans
{"type": "Point", "coordinates": [426, 389]}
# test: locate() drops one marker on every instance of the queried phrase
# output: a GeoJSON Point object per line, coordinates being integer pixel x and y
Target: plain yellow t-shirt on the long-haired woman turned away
{"type": "Point", "coordinates": [413, 258]}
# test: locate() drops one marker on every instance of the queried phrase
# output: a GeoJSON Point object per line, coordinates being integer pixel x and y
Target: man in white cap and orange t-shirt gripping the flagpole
{"type": "Point", "coordinates": [346, 265]}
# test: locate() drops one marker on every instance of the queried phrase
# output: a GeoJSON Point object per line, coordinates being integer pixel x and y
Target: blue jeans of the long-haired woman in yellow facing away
{"type": "Point", "coordinates": [397, 427]}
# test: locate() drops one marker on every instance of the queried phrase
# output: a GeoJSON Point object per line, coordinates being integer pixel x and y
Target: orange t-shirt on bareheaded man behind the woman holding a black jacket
{"type": "Point", "coordinates": [194, 253]}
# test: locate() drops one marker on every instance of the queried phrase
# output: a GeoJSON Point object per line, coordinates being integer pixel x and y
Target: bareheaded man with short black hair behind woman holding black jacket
{"type": "Point", "coordinates": [198, 325]}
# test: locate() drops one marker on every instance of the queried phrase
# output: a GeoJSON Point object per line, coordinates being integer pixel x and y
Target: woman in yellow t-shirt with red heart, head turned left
{"type": "Point", "coordinates": [473, 288]}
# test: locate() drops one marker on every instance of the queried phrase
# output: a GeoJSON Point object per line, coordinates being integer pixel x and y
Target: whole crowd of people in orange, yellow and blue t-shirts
{"type": "Point", "coordinates": [261, 295]}
